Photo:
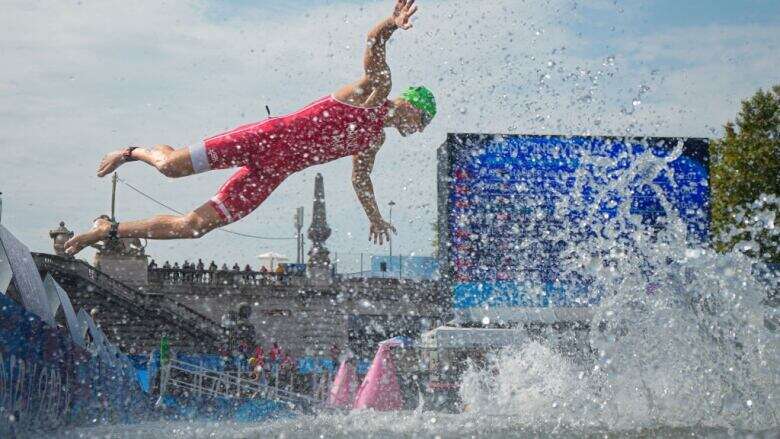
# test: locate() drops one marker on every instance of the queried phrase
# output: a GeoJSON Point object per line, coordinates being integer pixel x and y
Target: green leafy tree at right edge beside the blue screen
{"type": "Point", "coordinates": [745, 177]}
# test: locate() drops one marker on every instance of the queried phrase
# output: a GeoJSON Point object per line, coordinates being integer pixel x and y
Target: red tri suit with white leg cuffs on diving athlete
{"type": "Point", "coordinates": [270, 150]}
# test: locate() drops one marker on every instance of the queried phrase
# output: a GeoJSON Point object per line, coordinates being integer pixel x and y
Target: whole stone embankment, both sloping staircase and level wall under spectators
{"type": "Point", "coordinates": [303, 315]}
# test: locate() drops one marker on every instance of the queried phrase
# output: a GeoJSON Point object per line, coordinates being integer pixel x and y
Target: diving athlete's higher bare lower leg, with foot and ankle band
{"type": "Point", "coordinates": [171, 162]}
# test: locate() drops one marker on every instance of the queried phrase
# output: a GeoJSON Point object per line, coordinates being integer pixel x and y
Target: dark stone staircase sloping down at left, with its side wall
{"type": "Point", "coordinates": [132, 320]}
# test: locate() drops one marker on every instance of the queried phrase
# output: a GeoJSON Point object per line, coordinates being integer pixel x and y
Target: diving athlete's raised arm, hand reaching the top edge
{"type": "Point", "coordinates": [377, 72]}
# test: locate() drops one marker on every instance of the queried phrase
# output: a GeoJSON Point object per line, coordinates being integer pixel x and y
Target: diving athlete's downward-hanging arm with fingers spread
{"type": "Point", "coordinates": [362, 164]}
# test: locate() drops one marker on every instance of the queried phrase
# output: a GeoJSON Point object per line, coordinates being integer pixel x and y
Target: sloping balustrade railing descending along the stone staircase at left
{"type": "Point", "coordinates": [182, 316]}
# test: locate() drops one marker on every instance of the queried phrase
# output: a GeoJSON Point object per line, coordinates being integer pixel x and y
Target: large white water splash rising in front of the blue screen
{"type": "Point", "coordinates": [680, 339]}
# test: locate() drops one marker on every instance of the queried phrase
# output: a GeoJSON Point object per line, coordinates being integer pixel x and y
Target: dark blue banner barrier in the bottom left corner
{"type": "Point", "coordinates": [47, 381]}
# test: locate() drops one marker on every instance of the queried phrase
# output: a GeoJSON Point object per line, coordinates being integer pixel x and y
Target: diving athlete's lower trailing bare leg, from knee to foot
{"type": "Point", "coordinates": [191, 225]}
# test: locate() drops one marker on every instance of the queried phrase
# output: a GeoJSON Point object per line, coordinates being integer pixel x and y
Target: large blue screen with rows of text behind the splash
{"type": "Point", "coordinates": [505, 198]}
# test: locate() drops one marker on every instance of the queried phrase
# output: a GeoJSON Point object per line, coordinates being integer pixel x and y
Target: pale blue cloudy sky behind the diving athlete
{"type": "Point", "coordinates": [82, 78]}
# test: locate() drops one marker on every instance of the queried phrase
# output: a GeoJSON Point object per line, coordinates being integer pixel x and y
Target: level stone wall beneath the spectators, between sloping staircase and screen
{"type": "Point", "coordinates": [306, 316]}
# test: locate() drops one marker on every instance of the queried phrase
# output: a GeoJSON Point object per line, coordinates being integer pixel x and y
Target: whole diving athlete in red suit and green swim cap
{"type": "Point", "coordinates": [349, 122]}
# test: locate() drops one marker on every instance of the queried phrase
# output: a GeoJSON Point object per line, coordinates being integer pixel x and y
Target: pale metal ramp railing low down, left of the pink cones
{"type": "Point", "coordinates": [182, 377]}
